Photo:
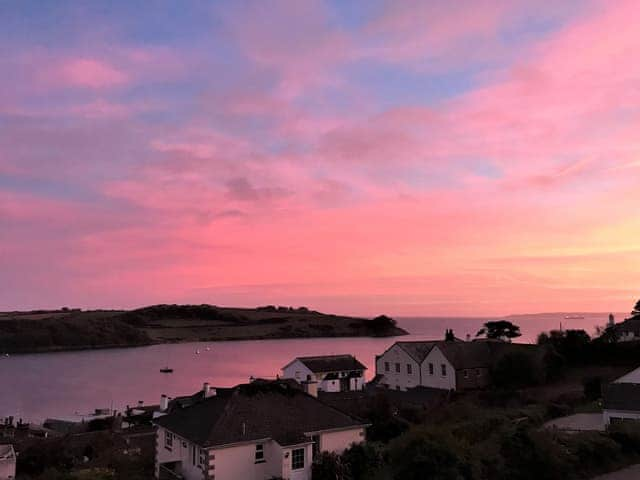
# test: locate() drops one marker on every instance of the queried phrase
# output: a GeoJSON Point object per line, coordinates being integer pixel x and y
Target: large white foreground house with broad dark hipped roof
{"type": "Point", "coordinates": [255, 431]}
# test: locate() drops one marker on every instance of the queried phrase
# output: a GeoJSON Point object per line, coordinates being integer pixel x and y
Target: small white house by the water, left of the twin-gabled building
{"type": "Point", "coordinates": [332, 373]}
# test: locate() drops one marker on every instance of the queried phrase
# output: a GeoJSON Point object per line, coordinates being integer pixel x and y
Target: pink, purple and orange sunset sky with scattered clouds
{"type": "Point", "coordinates": [359, 157]}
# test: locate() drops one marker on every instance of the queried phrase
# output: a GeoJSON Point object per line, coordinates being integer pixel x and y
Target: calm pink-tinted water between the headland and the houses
{"type": "Point", "coordinates": [72, 384]}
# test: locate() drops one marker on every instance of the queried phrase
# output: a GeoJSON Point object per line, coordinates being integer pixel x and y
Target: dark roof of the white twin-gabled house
{"type": "Point", "coordinates": [465, 355]}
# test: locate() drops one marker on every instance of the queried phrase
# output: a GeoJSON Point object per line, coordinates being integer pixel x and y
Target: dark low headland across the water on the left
{"type": "Point", "coordinates": [75, 329]}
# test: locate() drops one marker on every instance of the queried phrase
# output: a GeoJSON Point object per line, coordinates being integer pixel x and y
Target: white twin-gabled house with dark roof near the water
{"type": "Point", "coordinates": [448, 365]}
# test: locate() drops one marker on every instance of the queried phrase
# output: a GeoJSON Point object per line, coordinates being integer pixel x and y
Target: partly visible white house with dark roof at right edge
{"type": "Point", "coordinates": [622, 399]}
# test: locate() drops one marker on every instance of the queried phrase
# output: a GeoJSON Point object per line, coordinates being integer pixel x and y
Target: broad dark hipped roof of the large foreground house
{"type": "Point", "coordinates": [255, 411]}
